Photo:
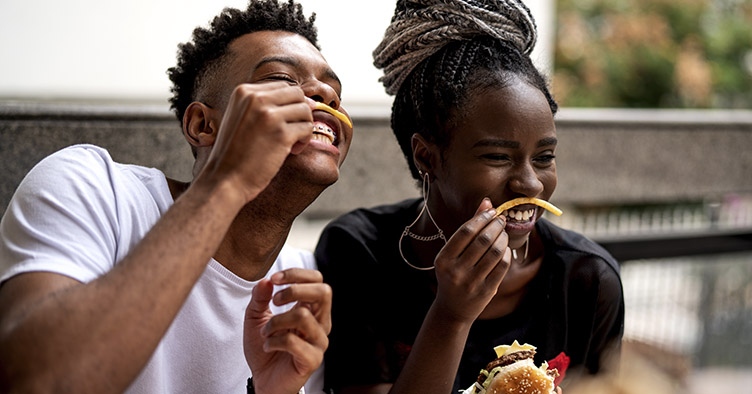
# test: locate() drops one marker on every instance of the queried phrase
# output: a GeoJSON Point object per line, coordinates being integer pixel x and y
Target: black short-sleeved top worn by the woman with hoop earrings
{"type": "Point", "coordinates": [574, 305]}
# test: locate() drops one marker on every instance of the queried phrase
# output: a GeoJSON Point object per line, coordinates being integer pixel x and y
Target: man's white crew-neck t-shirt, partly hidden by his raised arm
{"type": "Point", "coordinates": [78, 213]}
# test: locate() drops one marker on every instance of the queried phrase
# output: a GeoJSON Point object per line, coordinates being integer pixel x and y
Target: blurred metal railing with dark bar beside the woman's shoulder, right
{"type": "Point", "coordinates": [687, 275]}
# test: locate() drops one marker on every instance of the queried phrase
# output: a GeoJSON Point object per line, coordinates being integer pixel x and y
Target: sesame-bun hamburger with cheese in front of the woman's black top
{"type": "Point", "coordinates": [514, 371]}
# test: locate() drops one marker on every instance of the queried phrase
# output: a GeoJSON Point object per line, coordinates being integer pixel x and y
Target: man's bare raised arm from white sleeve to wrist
{"type": "Point", "coordinates": [97, 337]}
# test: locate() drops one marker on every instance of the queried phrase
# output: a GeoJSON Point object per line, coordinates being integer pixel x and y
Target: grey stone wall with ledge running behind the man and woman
{"type": "Point", "coordinates": [605, 157]}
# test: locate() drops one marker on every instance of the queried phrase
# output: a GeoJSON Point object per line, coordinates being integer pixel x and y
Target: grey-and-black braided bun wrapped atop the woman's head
{"type": "Point", "coordinates": [420, 28]}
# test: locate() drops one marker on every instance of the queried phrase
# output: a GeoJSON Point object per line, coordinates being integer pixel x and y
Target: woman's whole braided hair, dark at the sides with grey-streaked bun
{"type": "Point", "coordinates": [436, 52]}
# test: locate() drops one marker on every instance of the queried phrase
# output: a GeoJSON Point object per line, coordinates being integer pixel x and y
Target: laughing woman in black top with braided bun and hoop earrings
{"type": "Point", "coordinates": [425, 288]}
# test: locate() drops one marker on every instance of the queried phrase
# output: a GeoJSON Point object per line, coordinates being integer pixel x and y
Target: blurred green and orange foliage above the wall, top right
{"type": "Point", "coordinates": [654, 53]}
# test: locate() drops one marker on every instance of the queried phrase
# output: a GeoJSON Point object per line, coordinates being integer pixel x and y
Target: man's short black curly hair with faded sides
{"type": "Point", "coordinates": [196, 59]}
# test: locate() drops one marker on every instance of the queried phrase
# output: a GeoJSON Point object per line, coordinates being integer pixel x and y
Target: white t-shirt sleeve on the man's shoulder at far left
{"type": "Point", "coordinates": [62, 218]}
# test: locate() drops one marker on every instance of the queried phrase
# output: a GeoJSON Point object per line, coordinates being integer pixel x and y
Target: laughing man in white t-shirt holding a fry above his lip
{"type": "Point", "coordinates": [115, 278]}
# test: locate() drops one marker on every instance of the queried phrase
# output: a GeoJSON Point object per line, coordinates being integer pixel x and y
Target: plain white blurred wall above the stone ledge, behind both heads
{"type": "Point", "coordinates": [119, 51]}
